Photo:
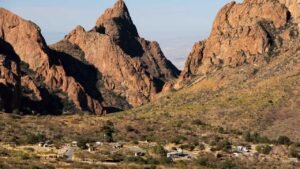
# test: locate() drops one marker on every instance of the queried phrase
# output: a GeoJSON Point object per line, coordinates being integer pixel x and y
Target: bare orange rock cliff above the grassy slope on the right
{"type": "Point", "coordinates": [245, 33]}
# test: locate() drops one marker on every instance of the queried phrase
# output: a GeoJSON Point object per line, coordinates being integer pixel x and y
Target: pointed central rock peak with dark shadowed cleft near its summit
{"type": "Point", "coordinates": [131, 67]}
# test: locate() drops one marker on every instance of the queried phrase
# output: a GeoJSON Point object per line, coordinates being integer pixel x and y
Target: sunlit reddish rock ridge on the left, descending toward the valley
{"type": "Point", "coordinates": [29, 45]}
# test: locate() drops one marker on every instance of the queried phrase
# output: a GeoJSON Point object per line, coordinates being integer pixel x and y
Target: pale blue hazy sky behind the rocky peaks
{"type": "Point", "coordinates": [175, 24]}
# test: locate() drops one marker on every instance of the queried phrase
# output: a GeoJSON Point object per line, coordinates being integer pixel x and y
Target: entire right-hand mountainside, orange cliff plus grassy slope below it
{"type": "Point", "coordinates": [245, 75]}
